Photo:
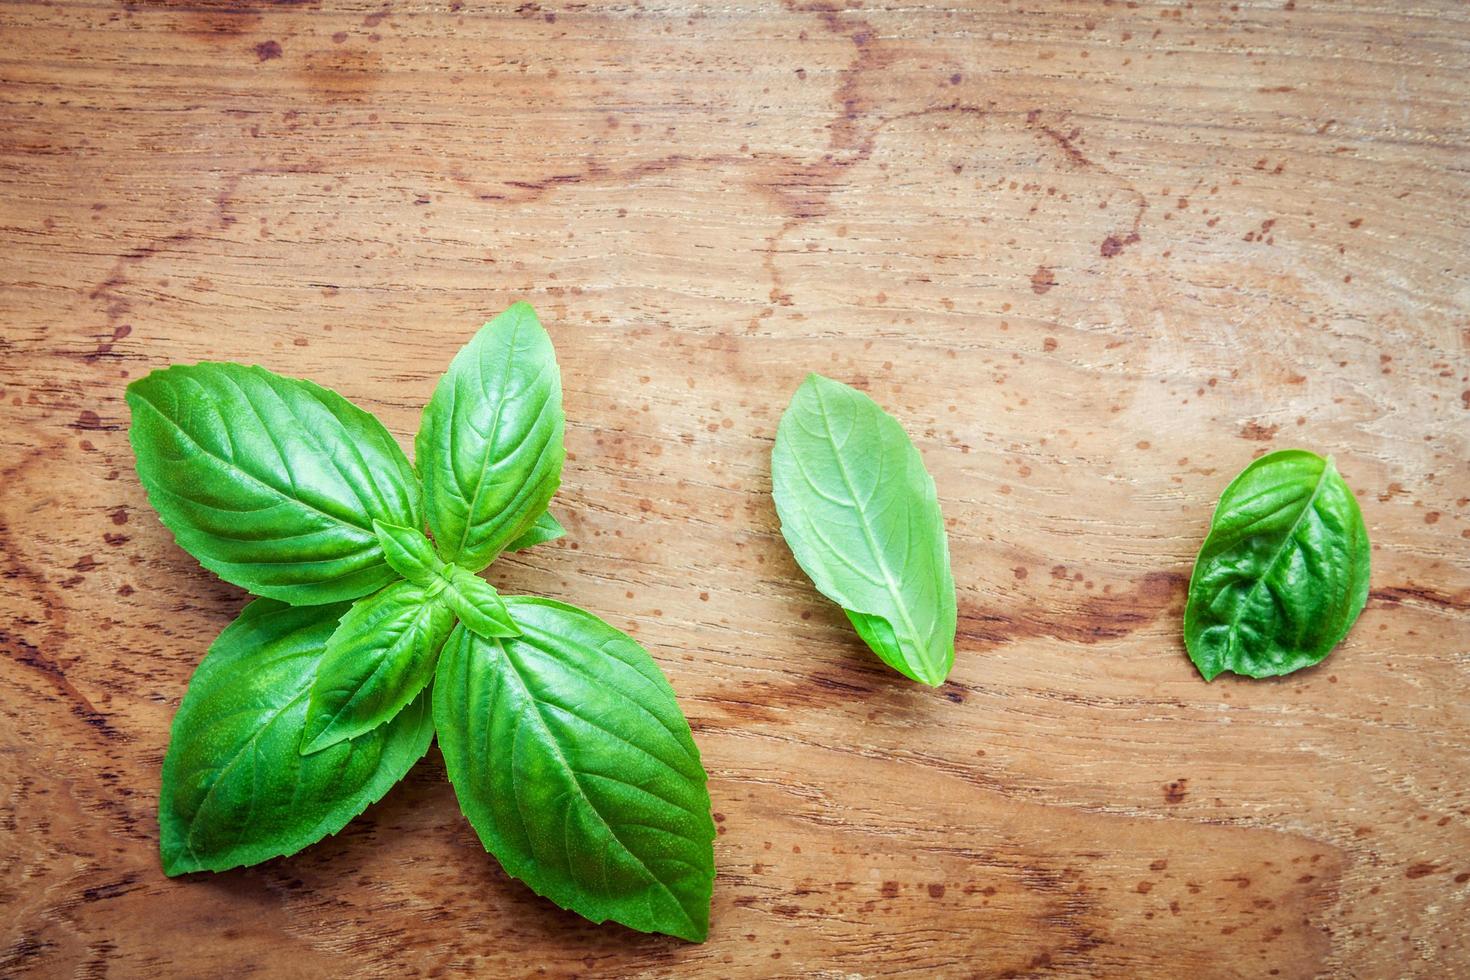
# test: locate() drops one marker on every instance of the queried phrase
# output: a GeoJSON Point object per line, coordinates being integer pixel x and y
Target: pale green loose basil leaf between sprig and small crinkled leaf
{"type": "Point", "coordinates": [862, 518]}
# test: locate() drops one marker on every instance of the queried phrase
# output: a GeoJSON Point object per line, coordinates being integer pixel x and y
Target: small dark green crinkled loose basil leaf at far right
{"type": "Point", "coordinates": [1284, 572]}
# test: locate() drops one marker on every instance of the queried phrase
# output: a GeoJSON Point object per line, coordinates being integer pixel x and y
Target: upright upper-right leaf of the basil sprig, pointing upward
{"type": "Point", "coordinates": [490, 444]}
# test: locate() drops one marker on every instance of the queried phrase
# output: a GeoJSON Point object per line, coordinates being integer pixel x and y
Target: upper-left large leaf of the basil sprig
{"type": "Point", "coordinates": [271, 483]}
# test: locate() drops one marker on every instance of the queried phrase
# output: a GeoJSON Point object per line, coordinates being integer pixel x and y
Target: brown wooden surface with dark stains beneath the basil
{"type": "Point", "coordinates": [1096, 256]}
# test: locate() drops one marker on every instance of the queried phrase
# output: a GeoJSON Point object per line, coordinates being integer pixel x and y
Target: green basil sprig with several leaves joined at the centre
{"type": "Point", "coordinates": [564, 741]}
